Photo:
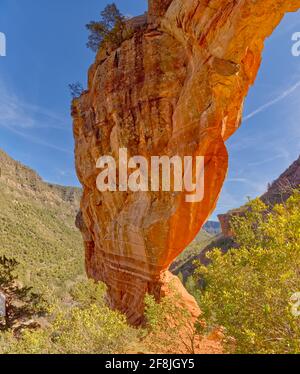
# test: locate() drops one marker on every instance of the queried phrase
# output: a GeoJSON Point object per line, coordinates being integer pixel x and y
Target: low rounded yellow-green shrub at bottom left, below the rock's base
{"type": "Point", "coordinates": [91, 330]}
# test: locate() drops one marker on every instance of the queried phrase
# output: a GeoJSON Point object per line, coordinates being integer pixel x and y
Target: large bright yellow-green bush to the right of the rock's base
{"type": "Point", "coordinates": [249, 289]}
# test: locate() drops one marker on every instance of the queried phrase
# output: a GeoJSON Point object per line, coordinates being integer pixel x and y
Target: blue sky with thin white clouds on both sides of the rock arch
{"type": "Point", "coordinates": [46, 51]}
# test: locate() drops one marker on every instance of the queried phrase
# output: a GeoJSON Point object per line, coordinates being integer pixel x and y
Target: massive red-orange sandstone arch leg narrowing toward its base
{"type": "Point", "coordinates": [177, 87]}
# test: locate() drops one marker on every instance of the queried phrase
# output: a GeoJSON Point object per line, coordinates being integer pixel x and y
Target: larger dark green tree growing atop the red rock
{"type": "Point", "coordinates": [111, 29]}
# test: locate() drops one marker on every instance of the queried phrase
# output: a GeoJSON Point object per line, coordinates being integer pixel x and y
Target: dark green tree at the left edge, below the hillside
{"type": "Point", "coordinates": [22, 305]}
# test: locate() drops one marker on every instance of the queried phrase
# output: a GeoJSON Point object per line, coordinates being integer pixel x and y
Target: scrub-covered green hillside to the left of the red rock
{"type": "Point", "coordinates": [37, 227]}
